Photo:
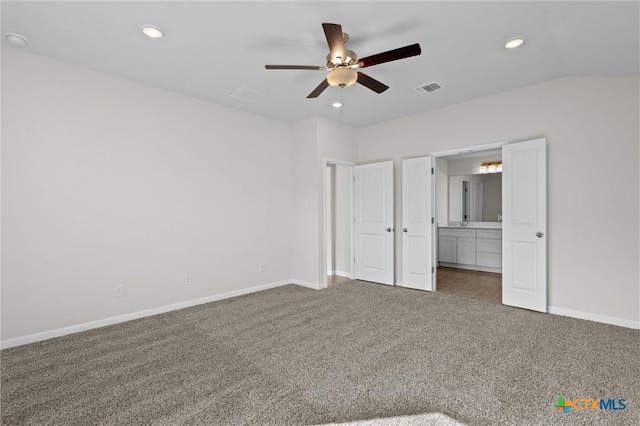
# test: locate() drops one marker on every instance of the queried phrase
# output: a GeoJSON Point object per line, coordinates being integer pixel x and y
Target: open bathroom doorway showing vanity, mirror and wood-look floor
{"type": "Point", "coordinates": [468, 231]}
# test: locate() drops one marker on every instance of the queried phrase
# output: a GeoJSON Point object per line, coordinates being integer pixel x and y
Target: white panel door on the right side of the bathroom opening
{"type": "Point", "coordinates": [524, 225]}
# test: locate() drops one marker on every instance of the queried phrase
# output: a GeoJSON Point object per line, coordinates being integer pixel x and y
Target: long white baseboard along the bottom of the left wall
{"type": "Point", "coordinates": [46, 335]}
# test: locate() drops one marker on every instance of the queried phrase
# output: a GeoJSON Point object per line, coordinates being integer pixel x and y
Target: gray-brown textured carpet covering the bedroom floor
{"type": "Point", "coordinates": [355, 352]}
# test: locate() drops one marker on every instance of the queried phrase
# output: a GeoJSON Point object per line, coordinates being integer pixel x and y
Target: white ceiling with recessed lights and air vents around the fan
{"type": "Point", "coordinates": [213, 48]}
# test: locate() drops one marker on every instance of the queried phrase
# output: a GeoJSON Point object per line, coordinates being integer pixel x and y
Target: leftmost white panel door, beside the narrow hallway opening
{"type": "Point", "coordinates": [373, 211]}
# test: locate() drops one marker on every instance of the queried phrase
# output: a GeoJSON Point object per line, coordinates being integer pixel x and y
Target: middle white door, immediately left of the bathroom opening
{"type": "Point", "coordinates": [417, 241]}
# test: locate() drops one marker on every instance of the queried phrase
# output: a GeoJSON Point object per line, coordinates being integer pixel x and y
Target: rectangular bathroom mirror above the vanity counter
{"type": "Point", "coordinates": [475, 198]}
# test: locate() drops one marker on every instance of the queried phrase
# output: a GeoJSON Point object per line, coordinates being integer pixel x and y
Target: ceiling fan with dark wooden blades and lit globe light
{"type": "Point", "coordinates": [342, 63]}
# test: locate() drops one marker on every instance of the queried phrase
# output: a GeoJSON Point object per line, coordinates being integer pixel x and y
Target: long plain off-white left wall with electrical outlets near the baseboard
{"type": "Point", "coordinates": [108, 182]}
